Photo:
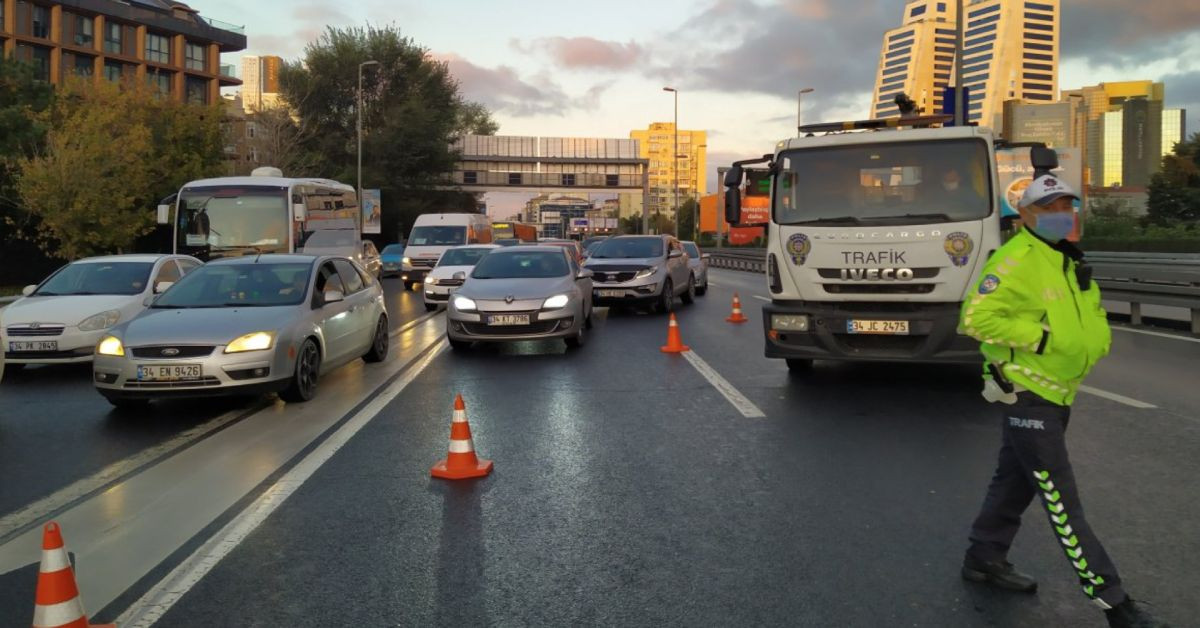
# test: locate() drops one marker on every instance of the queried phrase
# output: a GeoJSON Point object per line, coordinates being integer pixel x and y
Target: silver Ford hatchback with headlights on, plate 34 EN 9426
{"type": "Point", "coordinates": [247, 326]}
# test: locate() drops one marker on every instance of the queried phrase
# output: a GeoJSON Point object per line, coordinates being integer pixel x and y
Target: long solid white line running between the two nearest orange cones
{"type": "Point", "coordinates": [157, 602]}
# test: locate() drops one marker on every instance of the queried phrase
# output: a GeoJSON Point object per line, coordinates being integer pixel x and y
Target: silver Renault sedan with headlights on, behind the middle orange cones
{"type": "Point", "coordinates": [523, 294]}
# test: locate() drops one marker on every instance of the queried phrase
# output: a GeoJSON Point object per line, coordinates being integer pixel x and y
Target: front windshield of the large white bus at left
{"type": "Point", "coordinates": [214, 223]}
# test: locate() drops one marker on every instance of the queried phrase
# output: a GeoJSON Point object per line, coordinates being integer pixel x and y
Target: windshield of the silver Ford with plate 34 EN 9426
{"type": "Point", "coordinates": [244, 285]}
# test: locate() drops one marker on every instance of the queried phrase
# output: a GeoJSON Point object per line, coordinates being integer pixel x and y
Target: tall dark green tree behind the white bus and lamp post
{"type": "Point", "coordinates": [412, 113]}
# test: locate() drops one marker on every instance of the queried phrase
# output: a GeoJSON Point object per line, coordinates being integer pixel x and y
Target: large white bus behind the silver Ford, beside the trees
{"type": "Point", "coordinates": [265, 213]}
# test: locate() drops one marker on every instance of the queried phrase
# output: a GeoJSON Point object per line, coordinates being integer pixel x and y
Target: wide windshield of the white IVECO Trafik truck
{"type": "Point", "coordinates": [904, 183]}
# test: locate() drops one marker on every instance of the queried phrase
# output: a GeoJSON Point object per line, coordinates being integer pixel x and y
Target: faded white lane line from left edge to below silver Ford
{"type": "Point", "coordinates": [47, 506]}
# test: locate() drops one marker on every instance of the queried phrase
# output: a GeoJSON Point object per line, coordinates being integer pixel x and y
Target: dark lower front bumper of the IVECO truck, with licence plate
{"type": "Point", "coordinates": [902, 332]}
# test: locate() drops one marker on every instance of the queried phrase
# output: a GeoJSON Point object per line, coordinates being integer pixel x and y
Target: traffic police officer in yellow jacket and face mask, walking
{"type": "Point", "coordinates": [1039, 315]}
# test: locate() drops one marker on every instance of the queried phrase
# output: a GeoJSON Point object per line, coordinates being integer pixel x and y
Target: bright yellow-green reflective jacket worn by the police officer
{"type": "Point", "coordinates": [1035, 322]}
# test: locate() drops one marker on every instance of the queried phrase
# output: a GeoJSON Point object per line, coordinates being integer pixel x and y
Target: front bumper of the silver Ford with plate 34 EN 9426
{"type": "Point", "coordinates": [221, 374]}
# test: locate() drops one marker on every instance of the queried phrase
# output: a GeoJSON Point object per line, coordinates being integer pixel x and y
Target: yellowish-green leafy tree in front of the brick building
{"type": "Point", "coordinates": [112, 152]}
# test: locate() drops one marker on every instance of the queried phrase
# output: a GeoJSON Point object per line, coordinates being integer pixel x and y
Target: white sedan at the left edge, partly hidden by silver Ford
{"type": "Point", "coordinates": [62, 320]}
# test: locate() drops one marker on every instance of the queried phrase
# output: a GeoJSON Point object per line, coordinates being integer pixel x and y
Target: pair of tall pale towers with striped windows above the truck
{"type": "Point", "coordinates": [1011, 51]}
